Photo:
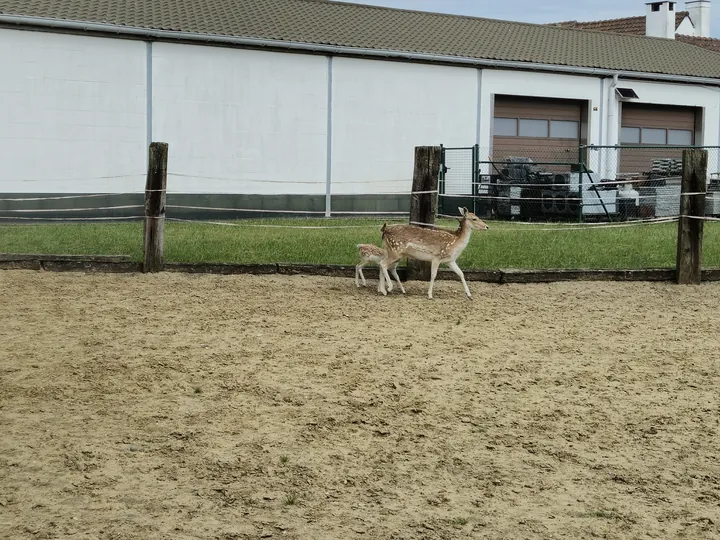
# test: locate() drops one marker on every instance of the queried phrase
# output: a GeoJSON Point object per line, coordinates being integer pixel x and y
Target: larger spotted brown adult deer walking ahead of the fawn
{"type": "Point", "coordinates": [436, 246]}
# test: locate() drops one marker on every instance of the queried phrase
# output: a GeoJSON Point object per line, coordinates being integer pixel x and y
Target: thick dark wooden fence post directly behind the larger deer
{"type": "Point", "coordinates": [423, 206]}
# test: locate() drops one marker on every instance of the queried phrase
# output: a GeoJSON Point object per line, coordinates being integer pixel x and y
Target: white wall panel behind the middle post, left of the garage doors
{"type": "Point", "coordinates": [383, 110]}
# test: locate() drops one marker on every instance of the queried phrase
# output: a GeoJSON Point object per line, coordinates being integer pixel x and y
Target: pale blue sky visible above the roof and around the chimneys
{"type": "Point", "coordinates": [535, 11]}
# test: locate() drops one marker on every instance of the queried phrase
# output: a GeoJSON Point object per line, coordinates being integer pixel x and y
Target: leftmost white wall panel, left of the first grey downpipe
{"type": "Point", "coordinates": [72, 110]}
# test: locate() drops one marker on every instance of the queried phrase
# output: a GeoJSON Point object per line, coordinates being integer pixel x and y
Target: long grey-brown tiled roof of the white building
{"type": "Point", "coordinates": [368, 27]}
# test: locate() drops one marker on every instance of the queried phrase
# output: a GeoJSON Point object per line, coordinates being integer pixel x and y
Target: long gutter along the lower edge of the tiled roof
{"type": "Point", "coordinates": [173, 35]}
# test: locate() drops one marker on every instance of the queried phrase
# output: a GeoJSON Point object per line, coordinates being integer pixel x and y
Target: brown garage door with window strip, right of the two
{"type": "Point", "coordinates": [654, 125]}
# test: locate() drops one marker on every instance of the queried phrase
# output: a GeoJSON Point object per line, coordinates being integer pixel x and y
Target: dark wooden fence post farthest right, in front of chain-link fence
{"type": "Point", "coordinates": [692, 210]}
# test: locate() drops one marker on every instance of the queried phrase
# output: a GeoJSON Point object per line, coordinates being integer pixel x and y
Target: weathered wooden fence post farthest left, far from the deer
{"type": "Point", "coordinates": [155, 187]}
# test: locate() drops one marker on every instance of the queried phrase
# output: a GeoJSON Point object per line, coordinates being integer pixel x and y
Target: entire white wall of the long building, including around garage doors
{"type": "Point", "coordinates": [73, 110]}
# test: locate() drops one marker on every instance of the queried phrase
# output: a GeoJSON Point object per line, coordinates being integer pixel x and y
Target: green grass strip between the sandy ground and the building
{"type": "Point", "coordinates": [505, 245]}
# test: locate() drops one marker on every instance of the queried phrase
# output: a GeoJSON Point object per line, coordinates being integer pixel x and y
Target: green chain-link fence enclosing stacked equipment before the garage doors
{"type": "Point", "coordinates": [587, 183]}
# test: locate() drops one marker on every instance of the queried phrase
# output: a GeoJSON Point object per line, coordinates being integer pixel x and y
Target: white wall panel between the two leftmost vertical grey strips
{"type": "Point", "coordinates": [241, 121]}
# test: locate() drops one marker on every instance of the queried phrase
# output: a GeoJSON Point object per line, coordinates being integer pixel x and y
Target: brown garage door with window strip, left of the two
{"type": "Point", "coordinates": [541, 129]}
